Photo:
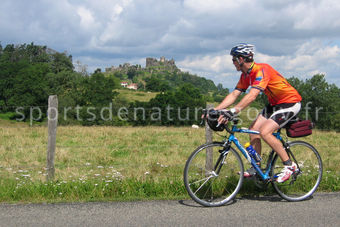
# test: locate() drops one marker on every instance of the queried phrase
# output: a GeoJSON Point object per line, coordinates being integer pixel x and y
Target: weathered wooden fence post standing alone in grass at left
{"type": "Point", "coordinates": [52, 116]}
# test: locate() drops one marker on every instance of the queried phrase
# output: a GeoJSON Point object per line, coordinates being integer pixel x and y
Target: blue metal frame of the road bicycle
{"type": "Point", "coordinates": [232, 139]}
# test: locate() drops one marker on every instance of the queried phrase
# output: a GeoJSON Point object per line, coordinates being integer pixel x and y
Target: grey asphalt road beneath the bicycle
{"type": "Point", "coordinates": [322, 210]}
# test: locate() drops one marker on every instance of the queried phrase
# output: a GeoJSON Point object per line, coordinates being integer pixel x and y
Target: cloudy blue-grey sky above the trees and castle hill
{"type": "Point", "coordinates": [298, 38]}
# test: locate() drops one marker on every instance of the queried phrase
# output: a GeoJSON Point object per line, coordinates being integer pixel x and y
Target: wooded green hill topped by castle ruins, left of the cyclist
{"type": "Point", "coordinates": [30, 73]}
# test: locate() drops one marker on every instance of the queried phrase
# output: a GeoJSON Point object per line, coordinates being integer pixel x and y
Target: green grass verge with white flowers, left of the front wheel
{"type": "Point", "coordinates": [90, 190]}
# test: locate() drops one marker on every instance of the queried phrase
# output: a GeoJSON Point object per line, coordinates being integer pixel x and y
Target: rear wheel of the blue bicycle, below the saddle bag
{"type": "Point", "coordinates": [304, 182]}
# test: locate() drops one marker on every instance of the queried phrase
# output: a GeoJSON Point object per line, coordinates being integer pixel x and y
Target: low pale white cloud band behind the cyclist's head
{"type": "Point", "coordinates": [311, 58]}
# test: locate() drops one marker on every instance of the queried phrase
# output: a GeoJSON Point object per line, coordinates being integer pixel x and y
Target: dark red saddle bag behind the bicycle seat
{"type": "Point", "coordinates": [299, 128]}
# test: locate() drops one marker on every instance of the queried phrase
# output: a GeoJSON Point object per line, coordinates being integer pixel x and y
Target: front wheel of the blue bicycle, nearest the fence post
{"type": "Point", "coordinates": [203, 184]}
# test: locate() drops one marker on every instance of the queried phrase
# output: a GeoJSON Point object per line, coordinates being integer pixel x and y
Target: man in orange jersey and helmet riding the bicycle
{"type": "Point", "coordinates": [284, 103]}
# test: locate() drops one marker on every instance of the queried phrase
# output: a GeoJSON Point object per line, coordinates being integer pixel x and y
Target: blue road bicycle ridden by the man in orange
{"type": "Point", "coordinates": [213, 173]}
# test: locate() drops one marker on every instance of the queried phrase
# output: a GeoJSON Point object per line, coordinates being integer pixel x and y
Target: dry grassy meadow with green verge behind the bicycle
{"type": "Point", "coordinates": [116, 163]}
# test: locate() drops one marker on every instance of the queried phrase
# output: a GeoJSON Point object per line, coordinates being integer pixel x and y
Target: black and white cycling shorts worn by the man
{"type": "Point", "coordinates": [281, 113]}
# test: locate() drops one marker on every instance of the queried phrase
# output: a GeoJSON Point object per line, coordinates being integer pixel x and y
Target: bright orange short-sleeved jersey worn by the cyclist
{"type": "Point", "coordinates": [268, 80]}
